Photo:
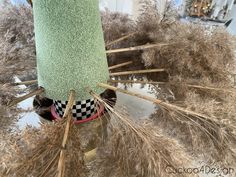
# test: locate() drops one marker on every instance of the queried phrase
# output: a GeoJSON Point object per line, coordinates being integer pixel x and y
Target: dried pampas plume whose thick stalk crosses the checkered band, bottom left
{"type": "Point", "coordinates": [55, 150]}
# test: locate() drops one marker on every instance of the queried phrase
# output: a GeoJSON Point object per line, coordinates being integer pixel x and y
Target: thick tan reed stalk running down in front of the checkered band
{"type": "Point", "coordinates": [68, 115]}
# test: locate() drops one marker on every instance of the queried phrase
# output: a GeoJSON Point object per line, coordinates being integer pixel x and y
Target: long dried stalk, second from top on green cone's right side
{"type": "Point", "coordinates": [141, 47]}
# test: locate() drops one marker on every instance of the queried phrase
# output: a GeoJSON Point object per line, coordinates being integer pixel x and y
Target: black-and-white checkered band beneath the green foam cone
{"type": "Point", "coordinates": [81, 110]}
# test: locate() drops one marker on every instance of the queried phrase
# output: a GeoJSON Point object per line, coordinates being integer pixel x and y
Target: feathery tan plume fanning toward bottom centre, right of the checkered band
{"type": "Point", "coordinates": [137, 149]}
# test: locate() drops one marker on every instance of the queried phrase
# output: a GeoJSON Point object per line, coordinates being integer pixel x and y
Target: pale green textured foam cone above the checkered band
{"type": "Point", "coordinates": [70, 47]}
